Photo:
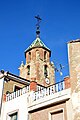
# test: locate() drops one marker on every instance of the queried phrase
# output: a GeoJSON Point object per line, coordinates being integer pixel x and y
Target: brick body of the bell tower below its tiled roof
{"type": "Point", "coordinates": [37, 62]}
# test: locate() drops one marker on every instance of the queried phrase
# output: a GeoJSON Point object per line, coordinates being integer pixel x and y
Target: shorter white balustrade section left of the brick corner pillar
{"type": "Point", "coordinates": [18, 93]}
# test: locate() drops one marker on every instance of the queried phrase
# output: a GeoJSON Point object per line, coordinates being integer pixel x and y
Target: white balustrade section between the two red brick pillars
{"type": "Point", "coordinates": [48, 91]}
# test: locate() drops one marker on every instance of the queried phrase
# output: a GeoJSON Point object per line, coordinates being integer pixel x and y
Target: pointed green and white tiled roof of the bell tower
{"type": "Point", "coordinates": [37, 43]}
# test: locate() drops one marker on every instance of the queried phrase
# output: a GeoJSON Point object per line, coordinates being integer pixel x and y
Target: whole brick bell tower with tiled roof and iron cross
{"type": "Point", "coordinates": [38, 66]}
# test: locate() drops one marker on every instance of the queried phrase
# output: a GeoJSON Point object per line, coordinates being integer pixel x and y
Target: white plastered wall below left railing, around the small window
{"type": "Point", "coordinates": [19, 105]}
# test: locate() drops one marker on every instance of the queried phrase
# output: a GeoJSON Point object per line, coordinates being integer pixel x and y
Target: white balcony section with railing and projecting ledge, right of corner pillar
{"type": "Point", "coordinates": [53, 94]}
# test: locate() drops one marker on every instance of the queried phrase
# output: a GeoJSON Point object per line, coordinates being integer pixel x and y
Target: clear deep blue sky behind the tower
{"type": "Point", "coordinates": [60, 24]}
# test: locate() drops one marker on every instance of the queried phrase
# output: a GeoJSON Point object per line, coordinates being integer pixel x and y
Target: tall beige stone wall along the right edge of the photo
{"type": "Point", "coordinates": [74, 66]}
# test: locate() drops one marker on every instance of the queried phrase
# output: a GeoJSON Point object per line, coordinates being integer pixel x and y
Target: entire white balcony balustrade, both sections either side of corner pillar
{"type": "Point", "coordinates": [40, 93]}
